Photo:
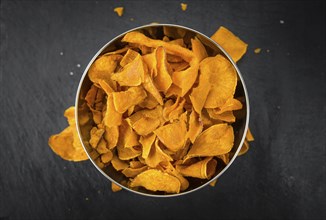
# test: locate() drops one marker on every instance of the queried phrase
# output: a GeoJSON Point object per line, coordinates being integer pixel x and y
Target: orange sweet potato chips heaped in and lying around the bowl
{"type": "Point", "coordinates": [162, 110]}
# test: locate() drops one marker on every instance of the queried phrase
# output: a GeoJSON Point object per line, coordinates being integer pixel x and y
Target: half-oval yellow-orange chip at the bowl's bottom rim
{"type": "Point", "coordinates": [156, 180]}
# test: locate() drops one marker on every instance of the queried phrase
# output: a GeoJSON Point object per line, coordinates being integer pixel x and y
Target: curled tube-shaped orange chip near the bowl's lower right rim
{"type": "Point", "coordinates": [203, 169]}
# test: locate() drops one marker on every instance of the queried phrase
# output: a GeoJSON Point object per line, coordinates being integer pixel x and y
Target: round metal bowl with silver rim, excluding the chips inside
{"type": "Point", "coordinates": [240, 126]}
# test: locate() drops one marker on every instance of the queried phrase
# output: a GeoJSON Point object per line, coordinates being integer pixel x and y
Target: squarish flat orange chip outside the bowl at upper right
{"type": "Point", "coordinates": [230, 43]}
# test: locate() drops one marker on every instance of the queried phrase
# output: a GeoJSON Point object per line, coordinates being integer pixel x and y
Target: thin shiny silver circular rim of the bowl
{"type": "Point", "coordinates": [224, 53]}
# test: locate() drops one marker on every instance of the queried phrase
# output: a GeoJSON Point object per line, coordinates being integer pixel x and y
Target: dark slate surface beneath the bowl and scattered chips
{"type": "Point", "coordinates": [282, 176]}
